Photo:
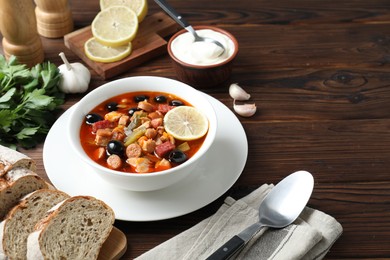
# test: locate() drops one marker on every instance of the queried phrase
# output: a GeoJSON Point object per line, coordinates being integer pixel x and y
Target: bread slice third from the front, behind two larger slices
{"type": "Point", "coordinates": [17, 183]}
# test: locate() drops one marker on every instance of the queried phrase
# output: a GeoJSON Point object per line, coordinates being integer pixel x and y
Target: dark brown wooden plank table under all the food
{"type": "Point", "coordinates": [319, 72]}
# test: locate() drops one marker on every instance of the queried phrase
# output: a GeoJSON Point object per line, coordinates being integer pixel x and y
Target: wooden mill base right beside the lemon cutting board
{"type": "Point", "coordinates": [54, 18]}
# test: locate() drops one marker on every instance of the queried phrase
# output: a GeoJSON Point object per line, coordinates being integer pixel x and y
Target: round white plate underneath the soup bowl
{"type": "Point", "coordinates": [216, 173]}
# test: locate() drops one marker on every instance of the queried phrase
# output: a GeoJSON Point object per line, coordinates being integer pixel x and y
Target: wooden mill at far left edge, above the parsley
{"type": "Point", "coordinates": [20, 36]}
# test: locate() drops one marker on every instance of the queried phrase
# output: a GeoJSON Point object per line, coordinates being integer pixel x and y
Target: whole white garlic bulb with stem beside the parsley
{"type": "Point", "coordinates": [75, 77]}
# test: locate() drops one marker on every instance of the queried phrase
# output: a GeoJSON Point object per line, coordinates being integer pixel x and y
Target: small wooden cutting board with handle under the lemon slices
{"type": "Point", "coordinates": [149, 43]}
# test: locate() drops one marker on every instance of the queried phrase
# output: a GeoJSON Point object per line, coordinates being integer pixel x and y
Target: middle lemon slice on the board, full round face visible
{"type": "Point", "coordinates": [115, 26]}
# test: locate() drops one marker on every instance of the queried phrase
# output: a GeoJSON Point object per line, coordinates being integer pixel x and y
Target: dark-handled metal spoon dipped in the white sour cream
{"type": "Point", "coordinates": [180, 20]}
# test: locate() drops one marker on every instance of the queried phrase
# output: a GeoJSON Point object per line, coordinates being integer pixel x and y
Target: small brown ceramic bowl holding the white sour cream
{"type": "Point", "coordinates": [203, 76]}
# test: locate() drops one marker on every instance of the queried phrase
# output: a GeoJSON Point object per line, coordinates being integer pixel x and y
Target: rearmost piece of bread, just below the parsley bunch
{"type": "Point", "coordinates": [10, 158]}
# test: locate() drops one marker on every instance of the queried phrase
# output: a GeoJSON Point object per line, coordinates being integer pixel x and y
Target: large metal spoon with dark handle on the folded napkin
{"type": "Point", "coordinates": [280, 208]}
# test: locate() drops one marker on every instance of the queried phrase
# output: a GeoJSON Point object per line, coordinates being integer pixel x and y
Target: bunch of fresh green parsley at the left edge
{"type": "Point", "coordinates": [29, 100]}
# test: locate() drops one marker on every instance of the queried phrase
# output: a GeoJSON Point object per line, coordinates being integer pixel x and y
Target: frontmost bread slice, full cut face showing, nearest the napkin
{"type": "Point", "coordinates": [75, 229]}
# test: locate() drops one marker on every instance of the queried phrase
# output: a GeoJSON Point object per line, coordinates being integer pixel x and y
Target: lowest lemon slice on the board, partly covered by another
{"type": "Point", "coordinates": [102, 53]}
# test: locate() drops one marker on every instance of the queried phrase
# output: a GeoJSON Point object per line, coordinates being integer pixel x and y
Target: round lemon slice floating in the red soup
{"type": "Point", "coordinates": [186, 123]}
